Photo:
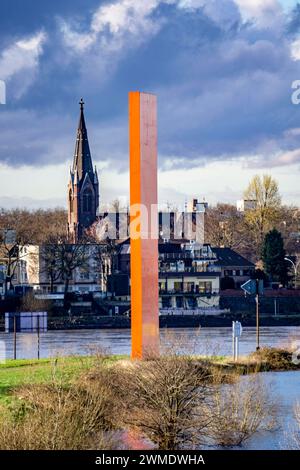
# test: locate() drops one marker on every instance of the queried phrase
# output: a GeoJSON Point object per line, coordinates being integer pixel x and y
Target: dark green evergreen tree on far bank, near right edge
{"type": "Point", "coordinates": [273, 254]}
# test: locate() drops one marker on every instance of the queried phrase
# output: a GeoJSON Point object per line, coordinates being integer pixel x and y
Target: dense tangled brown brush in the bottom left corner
{"type": "Point", "coordinates": [56, 416]}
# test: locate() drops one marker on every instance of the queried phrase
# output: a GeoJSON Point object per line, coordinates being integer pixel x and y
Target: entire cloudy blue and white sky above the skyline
{"type": "Point", "coordinates": [222, 70]}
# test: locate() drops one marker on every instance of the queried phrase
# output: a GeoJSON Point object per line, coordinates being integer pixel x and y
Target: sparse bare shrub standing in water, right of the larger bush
{"type": "Point", "coordinates": [239, 410]}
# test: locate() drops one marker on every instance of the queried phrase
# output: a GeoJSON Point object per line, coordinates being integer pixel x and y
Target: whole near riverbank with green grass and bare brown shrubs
{"type": "Point", "coordinates": [107, 402]}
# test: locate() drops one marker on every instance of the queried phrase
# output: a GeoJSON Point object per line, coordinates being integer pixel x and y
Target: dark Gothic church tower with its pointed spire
{"type": "Point", "coordinates": [83, 188]}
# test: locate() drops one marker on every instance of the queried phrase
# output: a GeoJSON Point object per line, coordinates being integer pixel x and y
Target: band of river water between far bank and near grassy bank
{"type": "Point", "coordinates": [211, 341]}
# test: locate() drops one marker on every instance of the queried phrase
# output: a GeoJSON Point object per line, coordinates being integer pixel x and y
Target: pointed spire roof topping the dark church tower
{"type": "Point", "coordinates": [82, 163]}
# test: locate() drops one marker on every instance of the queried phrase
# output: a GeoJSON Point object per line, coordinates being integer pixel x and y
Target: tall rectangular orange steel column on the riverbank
{"type": "Point", "coordinates": [143, 218]}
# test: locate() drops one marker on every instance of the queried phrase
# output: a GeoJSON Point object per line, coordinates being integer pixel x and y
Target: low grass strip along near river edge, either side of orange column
{"type": "Point", "coordinates": [20, 372]}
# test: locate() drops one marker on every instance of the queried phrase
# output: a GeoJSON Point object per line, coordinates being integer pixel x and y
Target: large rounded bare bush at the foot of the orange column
{"type": "Point", "coordinates": [164, 401]}
